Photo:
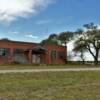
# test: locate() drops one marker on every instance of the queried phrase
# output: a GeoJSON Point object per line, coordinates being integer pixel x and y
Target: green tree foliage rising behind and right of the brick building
{"type": "Point", "coordinates": [87, 41]}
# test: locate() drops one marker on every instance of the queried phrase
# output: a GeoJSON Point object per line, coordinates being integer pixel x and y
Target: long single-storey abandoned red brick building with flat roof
{"type": "Point", "coordinates": [28, 53]}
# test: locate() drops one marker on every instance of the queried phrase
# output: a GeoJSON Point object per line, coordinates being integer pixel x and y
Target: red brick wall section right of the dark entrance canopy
{"type": "Point", "coordinates": [55, 54]}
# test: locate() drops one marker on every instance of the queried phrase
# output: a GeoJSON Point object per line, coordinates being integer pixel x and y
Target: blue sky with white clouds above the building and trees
{"type": "Point", "coordinates": [35, 20]}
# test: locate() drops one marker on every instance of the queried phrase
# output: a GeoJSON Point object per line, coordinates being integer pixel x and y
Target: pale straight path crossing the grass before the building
{"type": "Point", "coordinates": [48, 70]}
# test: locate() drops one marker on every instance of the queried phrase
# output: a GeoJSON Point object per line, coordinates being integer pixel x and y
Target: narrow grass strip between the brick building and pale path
{"type": "Point", "coordinates": [28, 66]}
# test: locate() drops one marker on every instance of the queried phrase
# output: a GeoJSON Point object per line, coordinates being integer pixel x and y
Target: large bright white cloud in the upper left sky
{"type": "Point", "coordinates": [10, 10]}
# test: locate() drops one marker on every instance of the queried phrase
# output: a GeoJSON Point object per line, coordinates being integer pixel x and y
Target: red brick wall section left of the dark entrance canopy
{"type": "Point", "coordinates": [11, 46]}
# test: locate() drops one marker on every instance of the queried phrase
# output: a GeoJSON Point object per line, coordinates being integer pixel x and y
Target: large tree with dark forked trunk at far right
{"type": "Point", "coordinates": [90, 40]}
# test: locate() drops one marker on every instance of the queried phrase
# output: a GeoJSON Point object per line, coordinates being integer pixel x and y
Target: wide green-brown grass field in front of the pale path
{"type": "Point", "coordinates": [50, 86]}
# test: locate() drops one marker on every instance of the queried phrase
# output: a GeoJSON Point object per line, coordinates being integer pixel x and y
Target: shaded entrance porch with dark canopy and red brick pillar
{"type": "Point", "coordinates": [29, 56]}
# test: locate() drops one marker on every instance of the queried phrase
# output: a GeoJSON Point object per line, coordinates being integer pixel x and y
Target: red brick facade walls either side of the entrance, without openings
{"type": "Point", "coordinates": [53, 55]}
